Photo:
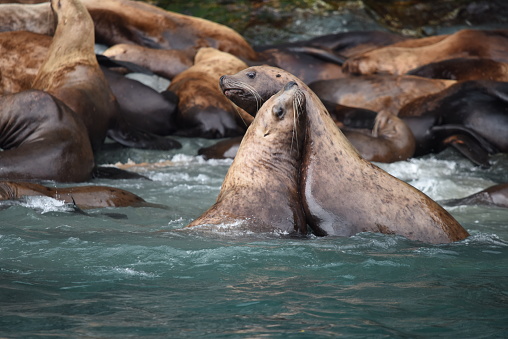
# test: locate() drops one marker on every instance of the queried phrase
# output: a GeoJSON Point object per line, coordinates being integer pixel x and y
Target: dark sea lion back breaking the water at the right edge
{"type": "Point", "coordinates": [496, 195]}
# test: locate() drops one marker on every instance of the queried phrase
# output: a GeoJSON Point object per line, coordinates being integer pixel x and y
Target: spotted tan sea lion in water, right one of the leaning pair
{"type": "Point", "coordinates": [342, 193]}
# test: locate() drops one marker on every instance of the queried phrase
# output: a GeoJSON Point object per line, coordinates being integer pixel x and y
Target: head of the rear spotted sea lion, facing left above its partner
{"type": "Point", "coordinates": [253, 86]}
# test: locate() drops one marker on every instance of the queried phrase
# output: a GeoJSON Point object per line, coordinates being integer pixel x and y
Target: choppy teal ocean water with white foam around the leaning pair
{"type": "Point", "coordinates": [132, 272]}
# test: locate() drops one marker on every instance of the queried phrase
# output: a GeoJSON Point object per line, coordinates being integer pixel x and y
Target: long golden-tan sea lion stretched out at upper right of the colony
{"type": "Point", "coordinates": [400, 59]}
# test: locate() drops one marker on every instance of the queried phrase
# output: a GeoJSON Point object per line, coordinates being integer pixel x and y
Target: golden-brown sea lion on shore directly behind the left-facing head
{"type": "Point", "coordinates": [202, 110]}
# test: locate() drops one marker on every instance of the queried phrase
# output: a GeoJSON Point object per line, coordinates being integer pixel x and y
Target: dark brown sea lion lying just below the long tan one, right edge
{"type": "Point", "coordinates": [462, 69]}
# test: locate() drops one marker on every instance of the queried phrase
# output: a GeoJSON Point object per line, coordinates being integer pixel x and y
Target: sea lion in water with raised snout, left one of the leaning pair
{"type": "Point", "coordinates": [260, 191]}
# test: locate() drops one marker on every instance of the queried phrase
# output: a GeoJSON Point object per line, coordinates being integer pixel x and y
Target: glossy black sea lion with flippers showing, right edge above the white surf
{"type": "Point", "coordinates": [470, 115]}
